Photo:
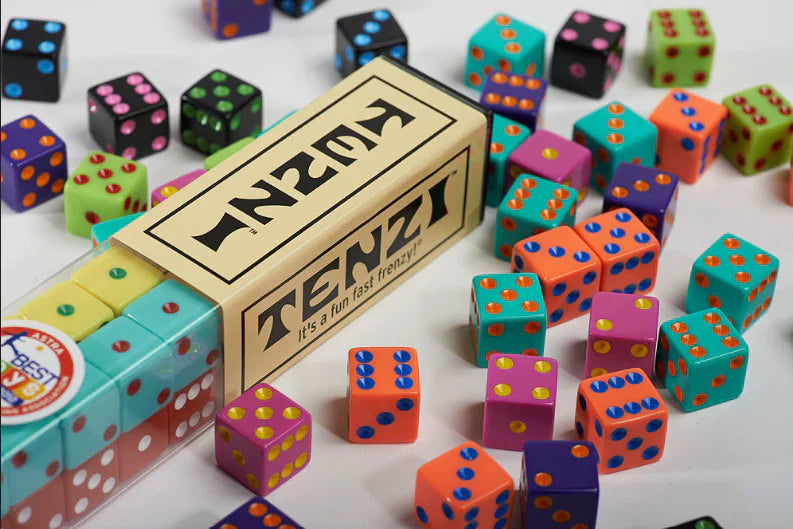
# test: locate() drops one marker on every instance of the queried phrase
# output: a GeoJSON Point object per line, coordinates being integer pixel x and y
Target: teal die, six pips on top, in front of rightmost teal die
{"type": "Point", "coordinates": [702, 359]}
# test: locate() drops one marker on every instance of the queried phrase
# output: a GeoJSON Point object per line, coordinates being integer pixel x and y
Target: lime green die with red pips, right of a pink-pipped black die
{"type": "Point", "coordinates": [680, 47]}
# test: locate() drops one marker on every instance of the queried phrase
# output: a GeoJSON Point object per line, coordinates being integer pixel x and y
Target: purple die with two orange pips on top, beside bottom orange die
{"type": "Point", "coordinates": [559, 485]}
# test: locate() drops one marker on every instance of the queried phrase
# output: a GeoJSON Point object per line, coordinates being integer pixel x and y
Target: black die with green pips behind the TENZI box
{"type": "Point", "coordinates": [218, 110]}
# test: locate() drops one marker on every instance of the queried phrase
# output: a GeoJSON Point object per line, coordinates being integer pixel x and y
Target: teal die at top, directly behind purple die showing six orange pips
{"type": "Point", "coordinates": [507, 44]}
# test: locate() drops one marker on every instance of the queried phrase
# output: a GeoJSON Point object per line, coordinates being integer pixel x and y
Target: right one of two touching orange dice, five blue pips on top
{"type": "Point", "coordinates": [627, 250]}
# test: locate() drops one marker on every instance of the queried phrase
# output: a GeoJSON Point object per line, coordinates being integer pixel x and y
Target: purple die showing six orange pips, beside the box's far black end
{"type": "Point", "coordinates": [514, 96]}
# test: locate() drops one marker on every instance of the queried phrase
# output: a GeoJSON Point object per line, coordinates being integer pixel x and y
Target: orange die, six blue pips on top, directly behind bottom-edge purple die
{"type": "Point", "coordinates": [622, 414]}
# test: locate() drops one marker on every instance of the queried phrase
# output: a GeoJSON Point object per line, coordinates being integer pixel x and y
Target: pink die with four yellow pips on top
{"type": "Point", "coordinates": [520, 402]}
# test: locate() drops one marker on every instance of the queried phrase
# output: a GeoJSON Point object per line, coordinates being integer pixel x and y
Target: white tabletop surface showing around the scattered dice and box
{"type": "Point", "coordinates": [733, 461]}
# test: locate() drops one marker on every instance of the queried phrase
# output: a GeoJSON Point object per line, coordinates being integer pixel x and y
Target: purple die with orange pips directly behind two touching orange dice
{"type": "Point", "coordinates": [649, 193]}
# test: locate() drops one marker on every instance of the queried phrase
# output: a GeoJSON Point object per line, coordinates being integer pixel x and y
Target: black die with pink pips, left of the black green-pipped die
{"type": "Point", "coordinates": [128, 116]}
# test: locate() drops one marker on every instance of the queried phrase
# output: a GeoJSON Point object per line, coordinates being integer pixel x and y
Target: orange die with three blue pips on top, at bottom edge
{"type": "Point", "coordinates": [463, 488]}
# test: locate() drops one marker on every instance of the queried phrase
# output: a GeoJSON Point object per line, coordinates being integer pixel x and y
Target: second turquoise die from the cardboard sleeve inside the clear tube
{"type": "Point", "coordinates": [139, 364]}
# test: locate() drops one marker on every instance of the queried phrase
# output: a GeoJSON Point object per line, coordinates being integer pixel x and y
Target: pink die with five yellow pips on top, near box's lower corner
{"type": "Point", "coordinates": [262, 439]}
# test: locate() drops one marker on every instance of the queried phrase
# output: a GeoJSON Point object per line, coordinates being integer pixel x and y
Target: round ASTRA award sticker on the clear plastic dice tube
{"type": "Point", "coordinates": [41, 369]}
